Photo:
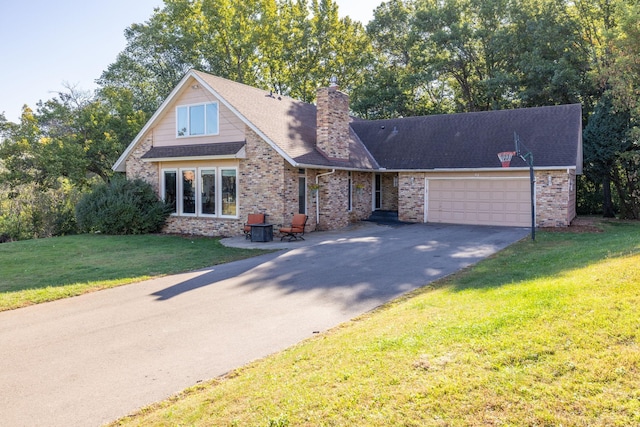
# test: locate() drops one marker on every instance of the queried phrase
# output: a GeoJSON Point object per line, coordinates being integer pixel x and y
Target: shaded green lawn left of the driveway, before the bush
{"type": "Point", "coordinates": [35, 271]}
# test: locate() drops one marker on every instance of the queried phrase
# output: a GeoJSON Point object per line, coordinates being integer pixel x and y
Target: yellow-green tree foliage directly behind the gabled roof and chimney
{"type": "Point", "coordinates": [286, 46]}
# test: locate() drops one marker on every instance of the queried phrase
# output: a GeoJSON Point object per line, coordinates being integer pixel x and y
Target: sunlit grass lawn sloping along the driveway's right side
{"type": "Point", "coordinates": [545, 333]}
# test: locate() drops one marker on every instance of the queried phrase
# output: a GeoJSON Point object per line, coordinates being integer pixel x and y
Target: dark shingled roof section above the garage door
{"type": "Point", "coordinates": [472, 140]}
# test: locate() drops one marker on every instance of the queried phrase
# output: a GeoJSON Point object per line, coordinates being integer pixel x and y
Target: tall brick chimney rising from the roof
{"type": "Point", "coordinates": [333, 122]}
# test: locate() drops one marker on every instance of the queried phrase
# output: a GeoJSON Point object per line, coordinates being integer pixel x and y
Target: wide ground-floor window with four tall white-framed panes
{"type": "Point", "coordinates": [194, 191]}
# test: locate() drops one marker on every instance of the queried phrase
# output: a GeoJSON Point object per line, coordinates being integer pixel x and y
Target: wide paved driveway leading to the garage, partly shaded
{"type": "Point", "coordinates": [88, 360]}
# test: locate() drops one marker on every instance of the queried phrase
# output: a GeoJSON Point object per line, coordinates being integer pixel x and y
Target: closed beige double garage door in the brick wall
{"type": "Point", "coordinates": [482, 201]}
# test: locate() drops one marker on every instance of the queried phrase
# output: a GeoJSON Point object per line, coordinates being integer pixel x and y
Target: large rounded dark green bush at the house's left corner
{"type": "Point", "coordinates": [122, 207]}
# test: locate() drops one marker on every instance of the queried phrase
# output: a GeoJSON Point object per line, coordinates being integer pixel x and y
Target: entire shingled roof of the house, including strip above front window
{"type": "Point", "coordinates": [453, 141]}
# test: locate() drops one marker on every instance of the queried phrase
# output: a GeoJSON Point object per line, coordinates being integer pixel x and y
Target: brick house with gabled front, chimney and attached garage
{"type": "Point", "coordinates": [217, 150]}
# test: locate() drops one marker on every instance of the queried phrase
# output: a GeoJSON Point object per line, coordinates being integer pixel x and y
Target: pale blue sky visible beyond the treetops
{"type": "Point", "coordinates": [47, 44]}
